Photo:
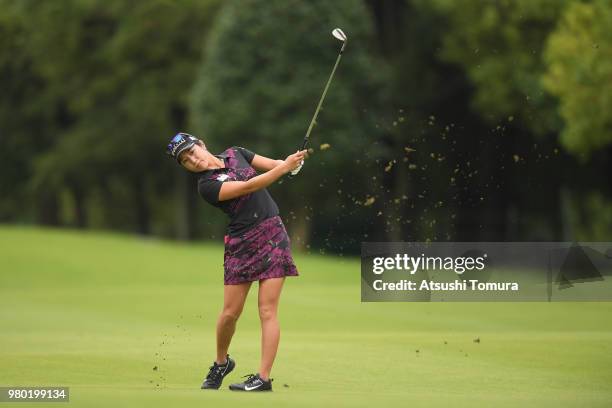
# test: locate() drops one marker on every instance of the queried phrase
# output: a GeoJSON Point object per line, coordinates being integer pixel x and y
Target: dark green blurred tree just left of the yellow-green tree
{"type": "Point", "coordinates": [500, 46]}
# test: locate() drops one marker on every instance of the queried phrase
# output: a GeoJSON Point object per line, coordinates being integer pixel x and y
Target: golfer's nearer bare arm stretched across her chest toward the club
{"type": "Point", "coordinates": [233, 189]}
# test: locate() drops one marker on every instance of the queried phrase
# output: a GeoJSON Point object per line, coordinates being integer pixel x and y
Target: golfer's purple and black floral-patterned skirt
{"type": "Point", "coordinates": [262, 252]}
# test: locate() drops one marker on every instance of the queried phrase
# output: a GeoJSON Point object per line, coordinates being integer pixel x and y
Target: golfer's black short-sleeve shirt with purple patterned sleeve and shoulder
{"type": "Point", "coordinates": [245, 211]}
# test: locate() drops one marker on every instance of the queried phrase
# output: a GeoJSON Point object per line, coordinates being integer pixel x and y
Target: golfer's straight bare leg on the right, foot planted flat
{"type": "Point", "coordinates": [269, 295]}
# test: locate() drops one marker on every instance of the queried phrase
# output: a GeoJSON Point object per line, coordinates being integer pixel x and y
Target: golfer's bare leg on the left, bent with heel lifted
{"type": "Point", "coordinates": [233, 302]}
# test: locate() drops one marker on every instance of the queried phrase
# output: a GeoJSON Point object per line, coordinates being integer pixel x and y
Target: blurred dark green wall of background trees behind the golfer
{"type": "Point", "coordinates": [446, 120]}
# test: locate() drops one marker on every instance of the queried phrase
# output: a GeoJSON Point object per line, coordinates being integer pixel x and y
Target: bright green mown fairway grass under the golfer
{"type": "Point", "coordinates": [97, 312]}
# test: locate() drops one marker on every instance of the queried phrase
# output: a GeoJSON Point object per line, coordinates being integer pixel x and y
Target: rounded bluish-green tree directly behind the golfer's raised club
{"type": "Point", "coordinates": [265, 66]}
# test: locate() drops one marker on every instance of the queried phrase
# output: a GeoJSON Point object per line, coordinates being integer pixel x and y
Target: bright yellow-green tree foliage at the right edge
{"type": "Point", "coordinates": [579, 72]}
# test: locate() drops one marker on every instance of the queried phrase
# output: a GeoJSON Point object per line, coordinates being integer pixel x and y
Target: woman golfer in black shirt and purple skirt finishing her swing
{"type": "Point", "coordinates": [256, 245]}
